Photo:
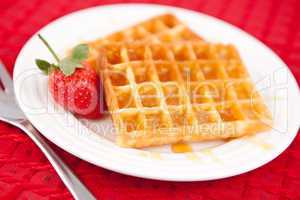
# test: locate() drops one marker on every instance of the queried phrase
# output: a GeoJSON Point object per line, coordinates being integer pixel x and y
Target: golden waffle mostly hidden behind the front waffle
{"type": "Point", "coordinates": [163, 28]}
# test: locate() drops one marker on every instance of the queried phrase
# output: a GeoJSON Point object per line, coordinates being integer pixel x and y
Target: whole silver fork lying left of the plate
{"type": "Point", "coordinates": [11, 113]}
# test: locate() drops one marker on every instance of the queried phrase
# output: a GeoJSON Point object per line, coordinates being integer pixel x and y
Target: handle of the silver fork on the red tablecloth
{"type": "Point", "coordinates": [77, 189]}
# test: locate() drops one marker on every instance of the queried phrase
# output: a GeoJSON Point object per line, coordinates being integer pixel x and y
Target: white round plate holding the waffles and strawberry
{"type": "Point", "coordinates": [272, 76]}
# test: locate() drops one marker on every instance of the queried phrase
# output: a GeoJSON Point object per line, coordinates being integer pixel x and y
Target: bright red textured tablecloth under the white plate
{"type": "Point", "coordinates": [26, 174]}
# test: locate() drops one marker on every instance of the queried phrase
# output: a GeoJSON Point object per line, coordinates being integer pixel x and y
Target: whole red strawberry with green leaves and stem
{"type": "Point", "coordinates": [72, 82]}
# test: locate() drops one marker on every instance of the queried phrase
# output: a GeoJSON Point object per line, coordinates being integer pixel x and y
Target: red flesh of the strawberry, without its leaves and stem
{"type": "Point", "coordinates": [78, 93]}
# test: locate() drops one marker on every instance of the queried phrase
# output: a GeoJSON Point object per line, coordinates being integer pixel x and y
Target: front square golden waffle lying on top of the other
{"type": "Point", "coordinates": [162, 93]}
